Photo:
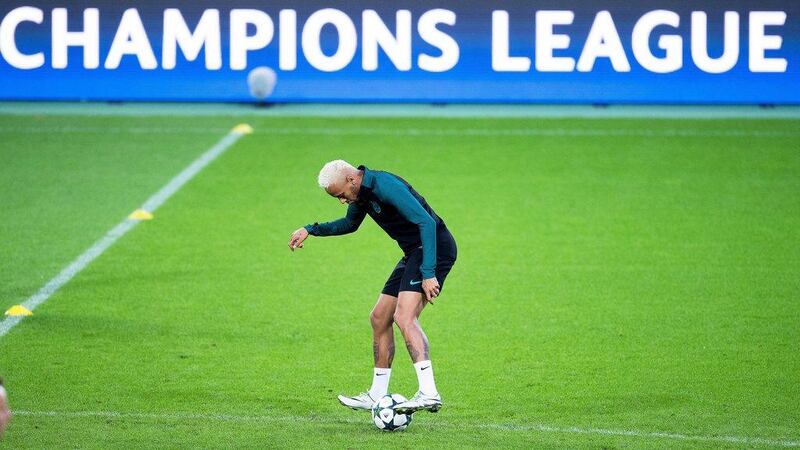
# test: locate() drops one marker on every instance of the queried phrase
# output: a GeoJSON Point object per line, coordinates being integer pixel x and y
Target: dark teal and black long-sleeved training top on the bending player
{"type": "Point", "coordinates": [397, 208]}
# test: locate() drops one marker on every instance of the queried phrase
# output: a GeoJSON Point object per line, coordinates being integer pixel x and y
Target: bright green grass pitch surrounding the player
{"type": "Point", "coordinates": [620, 283]}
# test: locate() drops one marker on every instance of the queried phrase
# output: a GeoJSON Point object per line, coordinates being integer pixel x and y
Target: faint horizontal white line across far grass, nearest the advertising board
{"type": "Point", "coordinates": [488, 132]}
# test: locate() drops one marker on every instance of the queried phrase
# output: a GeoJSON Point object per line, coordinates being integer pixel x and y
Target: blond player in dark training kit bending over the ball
{"type": "Point", "coordinates": [417, 279]}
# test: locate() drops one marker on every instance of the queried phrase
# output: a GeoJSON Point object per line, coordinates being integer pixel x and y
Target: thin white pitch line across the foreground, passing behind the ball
{"type": "Point", "coordinates": [541, 428]}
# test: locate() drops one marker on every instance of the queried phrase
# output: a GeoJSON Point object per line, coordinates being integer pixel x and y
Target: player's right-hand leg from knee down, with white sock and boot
{"type": "Point", "coordinates": [409, 306]}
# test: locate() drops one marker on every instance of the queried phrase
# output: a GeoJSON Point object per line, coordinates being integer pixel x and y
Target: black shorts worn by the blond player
{"type": "Point", "coordinates": [406, 275]}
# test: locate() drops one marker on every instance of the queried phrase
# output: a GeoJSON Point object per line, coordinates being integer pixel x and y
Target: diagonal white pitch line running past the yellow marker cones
{"type": "Point", "coordinates": [121, 228]}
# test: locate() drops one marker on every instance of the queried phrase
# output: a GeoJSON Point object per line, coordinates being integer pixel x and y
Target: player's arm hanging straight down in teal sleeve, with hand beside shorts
{"type": "Point", "coordinates": [392, 191]}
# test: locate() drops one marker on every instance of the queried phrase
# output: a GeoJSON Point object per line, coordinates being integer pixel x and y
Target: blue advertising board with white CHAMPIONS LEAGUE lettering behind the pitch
{"type": "Point", "coordinates": [572, 51]}
